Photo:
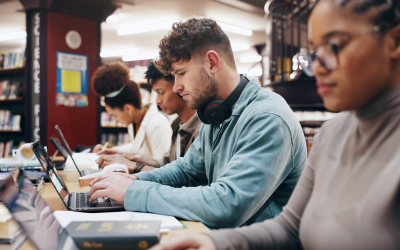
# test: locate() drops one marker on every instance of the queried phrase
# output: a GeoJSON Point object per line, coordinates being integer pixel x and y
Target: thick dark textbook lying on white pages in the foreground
{"type": "Point", "coordinates": [114, 234]}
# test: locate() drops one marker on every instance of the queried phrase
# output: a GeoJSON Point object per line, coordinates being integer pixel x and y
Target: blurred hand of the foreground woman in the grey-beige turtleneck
{"type": "Point", "coordinates": [185, 240]}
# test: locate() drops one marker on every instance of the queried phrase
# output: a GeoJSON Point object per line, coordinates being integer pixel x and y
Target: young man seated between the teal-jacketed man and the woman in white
{"type": "Point", "coordinates": [185, 128]}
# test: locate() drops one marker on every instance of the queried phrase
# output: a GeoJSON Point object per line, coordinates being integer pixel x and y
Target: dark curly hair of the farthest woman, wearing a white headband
{"type": "Point", "coordinates": [112, 77]}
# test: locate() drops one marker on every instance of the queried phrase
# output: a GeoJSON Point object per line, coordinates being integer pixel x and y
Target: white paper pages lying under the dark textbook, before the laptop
{"type": "Point", "coordinates": [167, 222]}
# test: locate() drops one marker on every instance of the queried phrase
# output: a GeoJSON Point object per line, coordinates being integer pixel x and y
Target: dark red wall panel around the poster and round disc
{"type": "Point", "coordinates": [78, 124]}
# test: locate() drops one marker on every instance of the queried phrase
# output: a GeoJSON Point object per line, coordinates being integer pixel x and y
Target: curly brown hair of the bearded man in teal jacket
{"type": "Point", "coordinates": [193, 37]}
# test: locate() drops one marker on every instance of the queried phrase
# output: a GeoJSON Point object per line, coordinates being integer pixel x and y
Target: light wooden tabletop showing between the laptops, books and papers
{"type": "Point", "coordinates": [52, 199]}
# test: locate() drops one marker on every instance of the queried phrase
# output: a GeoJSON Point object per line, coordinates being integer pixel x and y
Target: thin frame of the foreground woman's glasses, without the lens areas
{"type": "Point", "coordinates": [334, 47]}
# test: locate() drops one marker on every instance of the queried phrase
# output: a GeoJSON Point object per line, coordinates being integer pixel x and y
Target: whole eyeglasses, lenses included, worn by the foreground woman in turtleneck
{"type": "Point", "coordinates": [327, 53]}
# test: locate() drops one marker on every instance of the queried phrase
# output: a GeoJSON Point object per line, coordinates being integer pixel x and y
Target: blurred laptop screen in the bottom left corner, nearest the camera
{"type": "Point", "coordinates": [34, 216]}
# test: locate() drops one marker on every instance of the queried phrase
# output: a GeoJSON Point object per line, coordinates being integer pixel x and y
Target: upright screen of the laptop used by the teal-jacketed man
{"type": "Point", "coordinates": [52, 172]}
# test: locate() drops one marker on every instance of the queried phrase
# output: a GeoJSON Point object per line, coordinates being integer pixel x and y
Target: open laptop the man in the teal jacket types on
{"type": "Point", "coordinates": [75, 201]}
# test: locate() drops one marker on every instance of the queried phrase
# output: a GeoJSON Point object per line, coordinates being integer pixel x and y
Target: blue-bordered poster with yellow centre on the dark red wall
{"type": "Point", "coordinates": [72, 80]}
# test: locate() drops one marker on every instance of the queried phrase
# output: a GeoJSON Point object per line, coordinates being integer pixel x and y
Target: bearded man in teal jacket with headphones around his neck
{"type": "Point", "coordinates": [237, 172]}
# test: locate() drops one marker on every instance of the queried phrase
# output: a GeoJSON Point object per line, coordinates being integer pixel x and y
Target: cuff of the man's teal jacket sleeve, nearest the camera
{"type": "Point", "coordinates": [136, 196]}
